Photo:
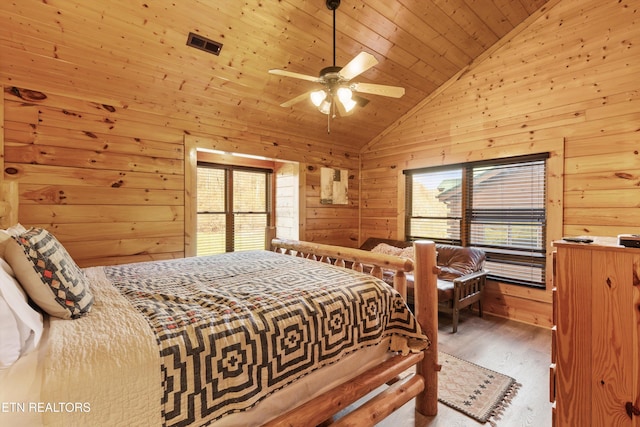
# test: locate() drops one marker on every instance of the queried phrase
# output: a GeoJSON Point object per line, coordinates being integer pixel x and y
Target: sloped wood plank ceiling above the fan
{"type": "Point", "coordinates": [134, 54]}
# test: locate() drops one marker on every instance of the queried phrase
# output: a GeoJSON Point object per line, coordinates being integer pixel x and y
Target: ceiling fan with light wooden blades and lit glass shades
{"type": "Point", "coordinates": [337, 91]}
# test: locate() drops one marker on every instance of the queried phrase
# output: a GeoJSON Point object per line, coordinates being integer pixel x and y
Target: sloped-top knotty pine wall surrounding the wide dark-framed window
{"type": "Point", "coordinates": [566, 83]}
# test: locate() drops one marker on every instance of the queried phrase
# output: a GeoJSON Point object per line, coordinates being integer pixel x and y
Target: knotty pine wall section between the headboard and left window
{"type": "Point", "coordinates": [105, 180]}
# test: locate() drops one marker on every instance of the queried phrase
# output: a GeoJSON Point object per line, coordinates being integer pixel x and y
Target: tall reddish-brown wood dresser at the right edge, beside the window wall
{"type": "Point", "coordinates": [595, 375]}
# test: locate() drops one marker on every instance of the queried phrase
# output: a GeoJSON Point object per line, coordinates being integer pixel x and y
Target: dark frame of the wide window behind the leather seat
{"type": "Point", "coordinates": [530, 257]}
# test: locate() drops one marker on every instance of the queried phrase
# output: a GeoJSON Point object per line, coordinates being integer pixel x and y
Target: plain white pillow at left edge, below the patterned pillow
{"type": "Point", "coordinates": [20, 325]}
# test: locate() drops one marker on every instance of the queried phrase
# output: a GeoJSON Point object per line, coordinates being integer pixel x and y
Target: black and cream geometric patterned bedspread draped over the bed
{"type": "Point", "coordinates": [234, 328]}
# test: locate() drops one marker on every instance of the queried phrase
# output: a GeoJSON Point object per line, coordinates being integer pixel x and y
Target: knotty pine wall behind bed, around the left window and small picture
{"type": "Point", "coordinates": [109, 181]}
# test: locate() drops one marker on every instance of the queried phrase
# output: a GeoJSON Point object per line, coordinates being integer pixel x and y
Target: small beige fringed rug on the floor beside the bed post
{"type": "Point", "coordinates": [478, 392]}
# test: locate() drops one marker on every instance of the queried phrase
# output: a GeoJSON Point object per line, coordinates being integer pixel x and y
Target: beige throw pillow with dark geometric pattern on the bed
{"type": "Point", "coordinates": [49, 275]}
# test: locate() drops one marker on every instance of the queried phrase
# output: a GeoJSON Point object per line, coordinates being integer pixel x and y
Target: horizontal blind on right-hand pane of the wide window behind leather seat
{"type": "Point", "coordinates": [506, 218]}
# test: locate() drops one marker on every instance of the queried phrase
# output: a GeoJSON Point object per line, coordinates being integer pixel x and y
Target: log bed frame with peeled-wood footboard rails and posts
{"type": "Point", "coordinates": [422, 386]}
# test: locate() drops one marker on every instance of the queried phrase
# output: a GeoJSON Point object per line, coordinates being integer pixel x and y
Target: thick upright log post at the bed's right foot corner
{"type": "Point", "coordinates": [426, 311]}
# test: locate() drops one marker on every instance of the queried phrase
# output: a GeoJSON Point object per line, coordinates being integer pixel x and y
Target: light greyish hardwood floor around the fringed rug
{"type": "Point", "coordinates": [512, 348]}
